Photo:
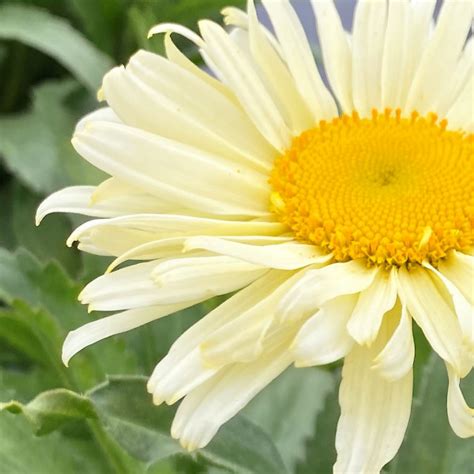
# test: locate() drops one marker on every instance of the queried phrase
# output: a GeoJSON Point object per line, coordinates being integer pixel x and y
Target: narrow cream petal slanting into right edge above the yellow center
{"type": "Point", "coordinates": [459, 78]}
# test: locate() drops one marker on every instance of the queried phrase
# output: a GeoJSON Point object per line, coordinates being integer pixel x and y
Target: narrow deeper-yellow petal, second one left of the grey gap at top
{"type": "Point", "coordinates": [277, 75]}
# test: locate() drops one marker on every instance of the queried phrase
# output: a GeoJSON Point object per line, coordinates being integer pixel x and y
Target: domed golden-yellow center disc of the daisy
{"type": "Point", "coordinates": [390, 189]}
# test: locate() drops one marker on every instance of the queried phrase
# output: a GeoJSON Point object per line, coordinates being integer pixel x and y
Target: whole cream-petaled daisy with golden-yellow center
{"type": "Point", "coordinates": [337, 211]}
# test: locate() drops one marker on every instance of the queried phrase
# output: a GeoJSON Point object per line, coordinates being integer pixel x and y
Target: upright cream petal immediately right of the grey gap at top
{"type": "Point", "coordinates": [336, 51]}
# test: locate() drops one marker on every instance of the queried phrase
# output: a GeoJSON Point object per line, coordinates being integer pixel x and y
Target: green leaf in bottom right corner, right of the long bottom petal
{"type": "Point", "coordinates": [430, 444]}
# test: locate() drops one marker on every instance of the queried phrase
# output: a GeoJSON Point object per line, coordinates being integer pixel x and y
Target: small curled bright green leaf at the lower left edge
{"type": "Point", "coordinates": [50, 410]}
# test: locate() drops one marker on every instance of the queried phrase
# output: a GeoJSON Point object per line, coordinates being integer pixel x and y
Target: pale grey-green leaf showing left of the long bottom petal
{"type": "Point", "coordinates": [299, 394]}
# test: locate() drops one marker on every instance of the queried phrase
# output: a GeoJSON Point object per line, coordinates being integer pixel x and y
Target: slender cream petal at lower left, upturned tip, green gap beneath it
{"type": "Point", "coordinates": [103, 328]}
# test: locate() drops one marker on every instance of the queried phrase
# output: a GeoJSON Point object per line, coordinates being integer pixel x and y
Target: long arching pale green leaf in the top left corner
{"type": "Point", "coordinates": [55, 37]}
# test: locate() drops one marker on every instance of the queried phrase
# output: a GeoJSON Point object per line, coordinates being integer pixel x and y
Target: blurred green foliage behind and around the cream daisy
{"type": "Point", "coordinates": [96, 416]}
